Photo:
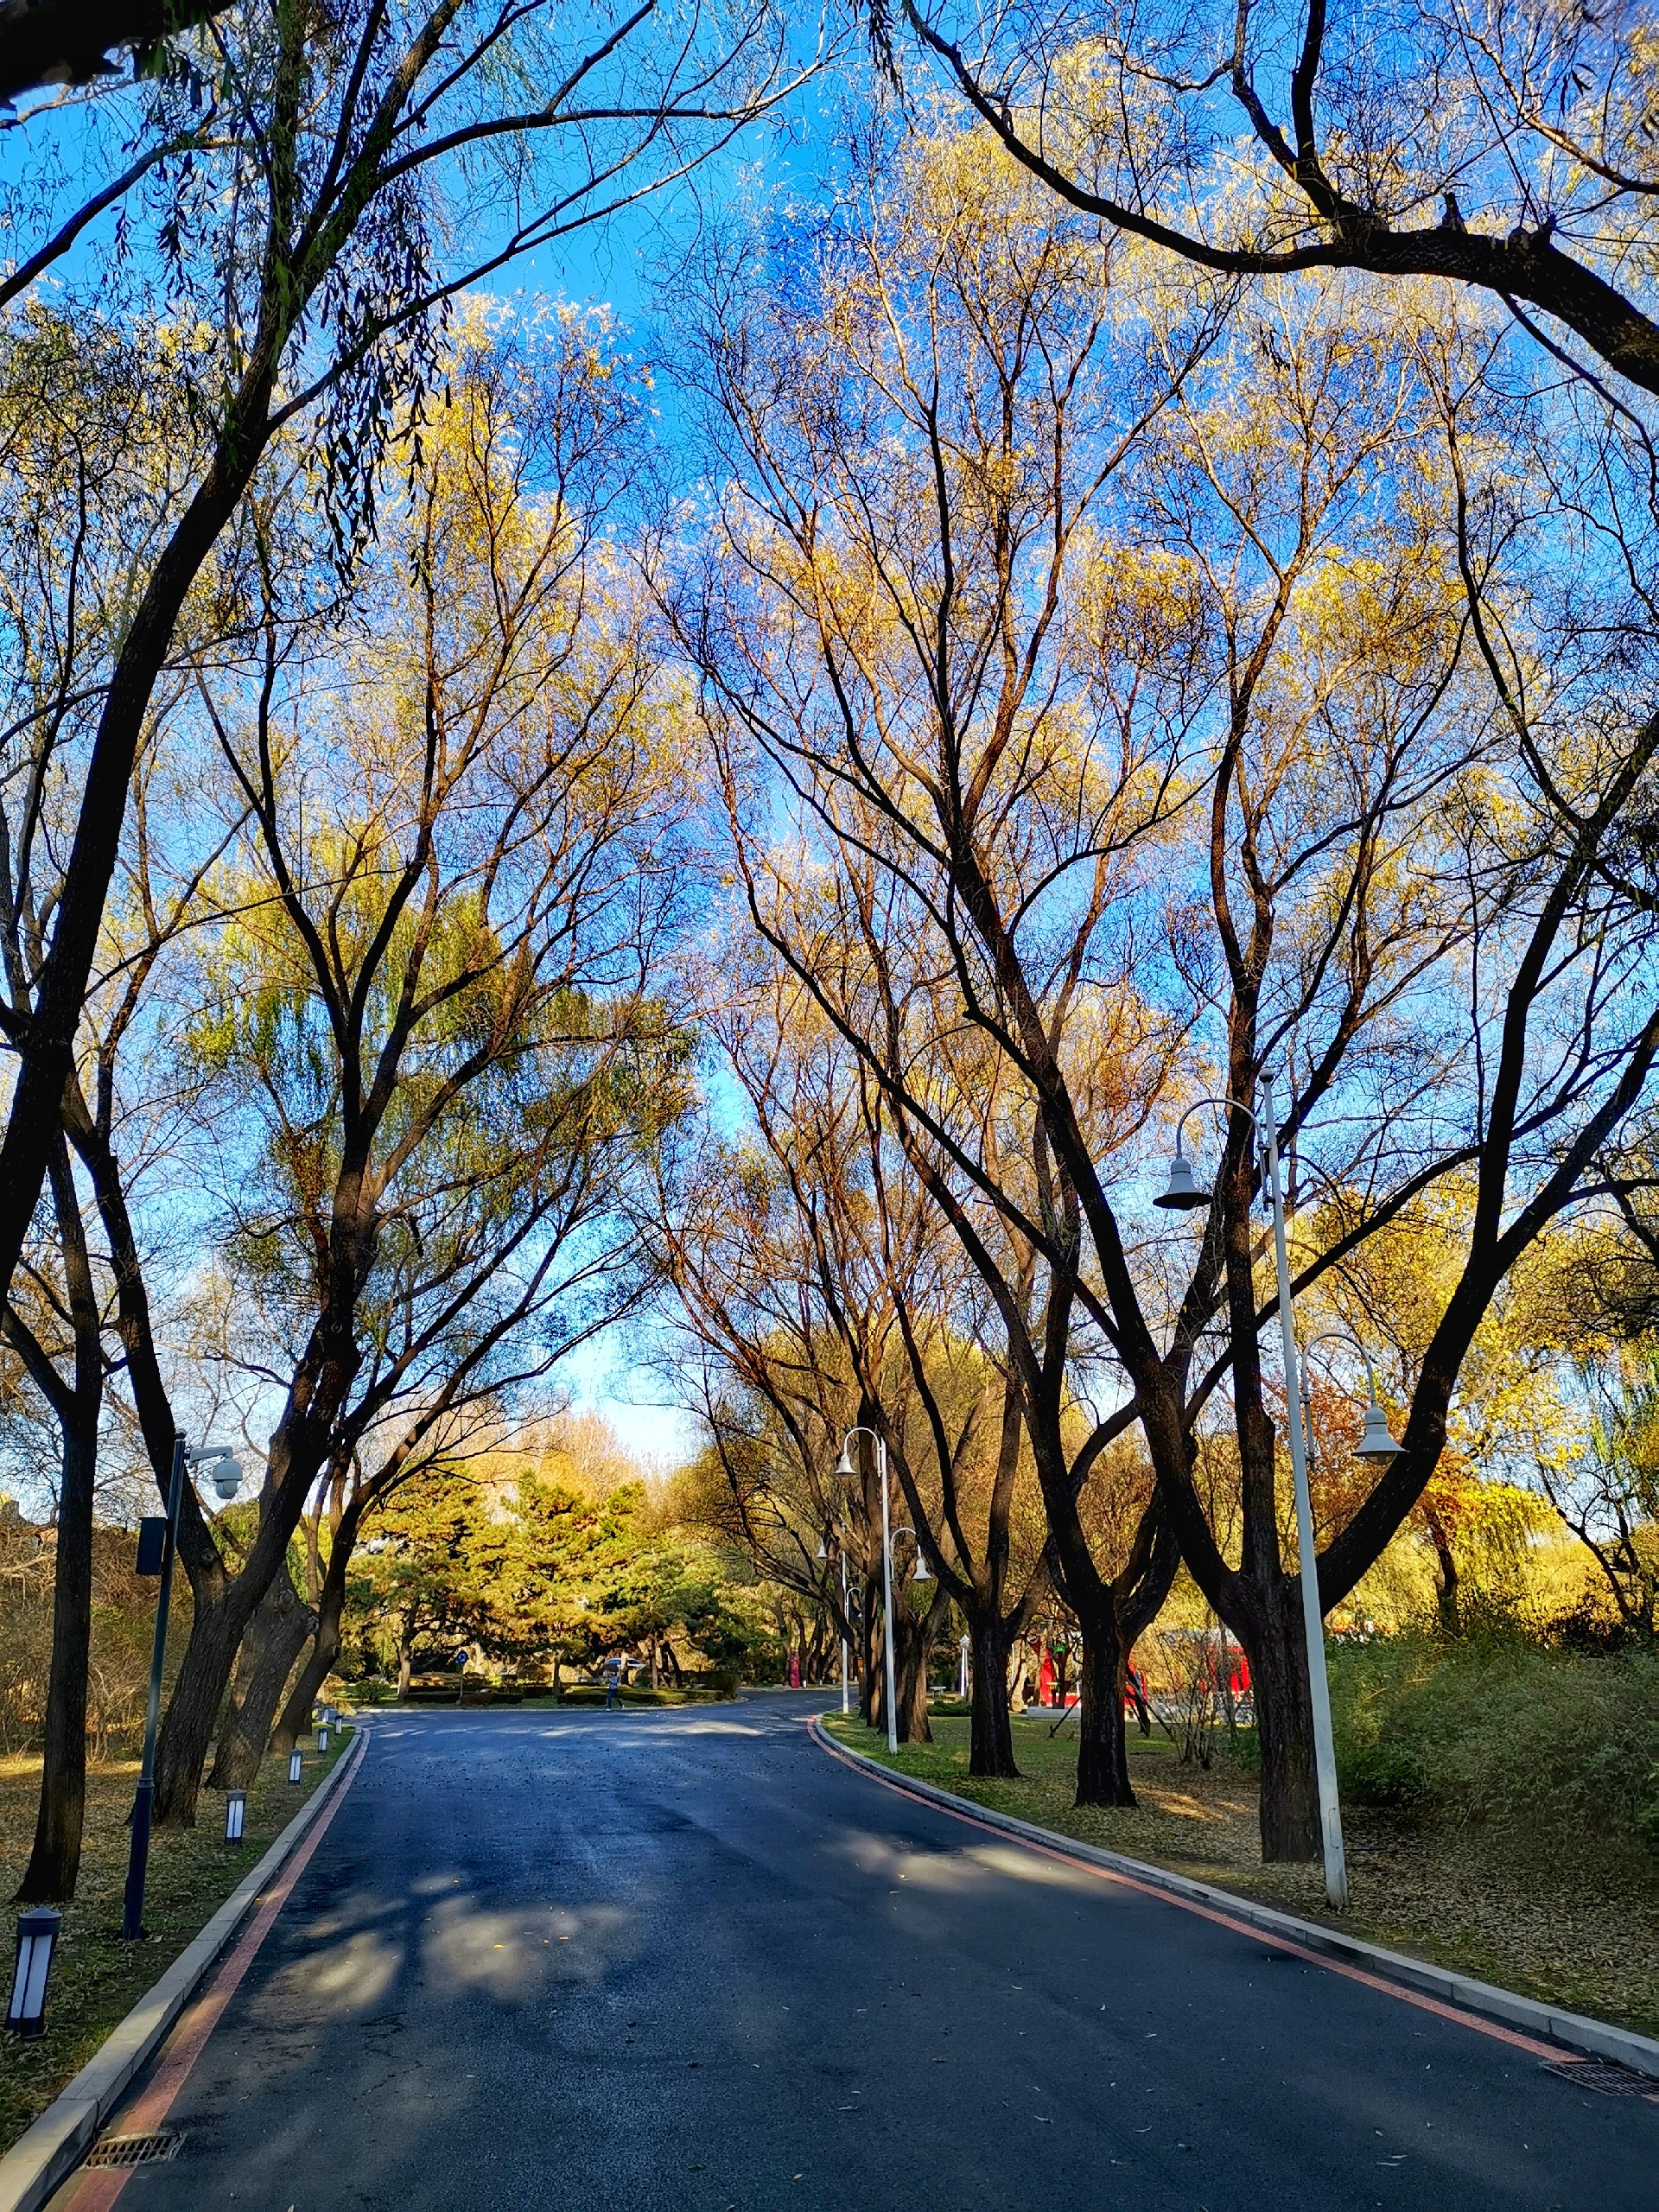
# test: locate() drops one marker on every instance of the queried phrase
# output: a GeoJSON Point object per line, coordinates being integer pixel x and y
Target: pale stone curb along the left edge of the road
{"type": "Point", "coordinates": [54, 2147]}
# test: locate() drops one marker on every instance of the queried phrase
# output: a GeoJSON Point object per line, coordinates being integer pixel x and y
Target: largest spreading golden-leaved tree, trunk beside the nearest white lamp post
{"type": "Point", "coordinates": [1180, 707]}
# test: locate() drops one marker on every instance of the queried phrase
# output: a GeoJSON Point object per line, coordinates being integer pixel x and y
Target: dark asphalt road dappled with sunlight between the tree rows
{"type": "Point", "coordinates": [687, 1961]}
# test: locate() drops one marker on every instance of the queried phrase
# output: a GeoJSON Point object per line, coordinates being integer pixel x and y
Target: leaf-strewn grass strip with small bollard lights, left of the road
{"type": "Point", "coordinates": [96, 1979]}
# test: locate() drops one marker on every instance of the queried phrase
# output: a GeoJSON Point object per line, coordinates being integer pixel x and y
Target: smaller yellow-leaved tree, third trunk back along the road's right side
{"type": "Point", "coordinates": [917, 1331]}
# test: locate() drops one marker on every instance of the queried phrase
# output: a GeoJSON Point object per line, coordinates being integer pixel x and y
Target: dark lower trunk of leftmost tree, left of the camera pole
{"type": "Point", "coordinates": [54, 1864]}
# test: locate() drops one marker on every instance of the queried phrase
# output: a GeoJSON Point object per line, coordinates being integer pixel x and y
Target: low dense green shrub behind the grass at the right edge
{"type": "Point", "coordinates": [1499, 1731]}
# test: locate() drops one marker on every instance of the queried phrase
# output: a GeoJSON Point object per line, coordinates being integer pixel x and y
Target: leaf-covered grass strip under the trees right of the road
{"type": "Point", "coordinates": [1578, 1932]}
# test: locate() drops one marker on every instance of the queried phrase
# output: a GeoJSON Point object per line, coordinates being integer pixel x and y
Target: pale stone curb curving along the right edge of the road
{"type": "Point", "coordinates": [1552, 2025]}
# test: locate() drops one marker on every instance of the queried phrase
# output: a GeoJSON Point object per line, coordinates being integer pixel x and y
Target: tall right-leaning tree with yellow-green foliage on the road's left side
{"type": "Point", "coordinates": [435, 1030]}
